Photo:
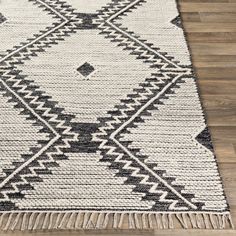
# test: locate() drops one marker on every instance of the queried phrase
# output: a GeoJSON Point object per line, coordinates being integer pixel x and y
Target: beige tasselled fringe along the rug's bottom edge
{"type": "Point", "coordinates": [113, 220]}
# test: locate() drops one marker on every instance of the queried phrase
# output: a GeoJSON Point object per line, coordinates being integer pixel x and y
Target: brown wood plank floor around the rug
{"type": "Point", "coordinates": [211, 31]}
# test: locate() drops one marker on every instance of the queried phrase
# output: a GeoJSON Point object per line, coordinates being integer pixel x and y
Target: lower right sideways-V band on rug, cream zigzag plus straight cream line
{"type": "Point", "coordinates": [112, 128]}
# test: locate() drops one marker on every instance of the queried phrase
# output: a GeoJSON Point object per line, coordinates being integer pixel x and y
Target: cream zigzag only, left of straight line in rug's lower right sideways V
{"type": "Point", "coordinates": [119, 160]}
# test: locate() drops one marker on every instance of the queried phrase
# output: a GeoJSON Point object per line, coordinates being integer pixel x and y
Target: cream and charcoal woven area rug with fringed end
{"type": "Point", "coordinates": [101, 123]}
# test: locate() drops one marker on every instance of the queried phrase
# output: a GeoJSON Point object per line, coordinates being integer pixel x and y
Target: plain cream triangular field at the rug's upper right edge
{"type": "Point", "coordinates": [153, 23]}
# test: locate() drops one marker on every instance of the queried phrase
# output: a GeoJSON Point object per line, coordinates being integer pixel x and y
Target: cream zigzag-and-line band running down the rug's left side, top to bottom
{"type": "Point", "coordinates": [32, 102]}
